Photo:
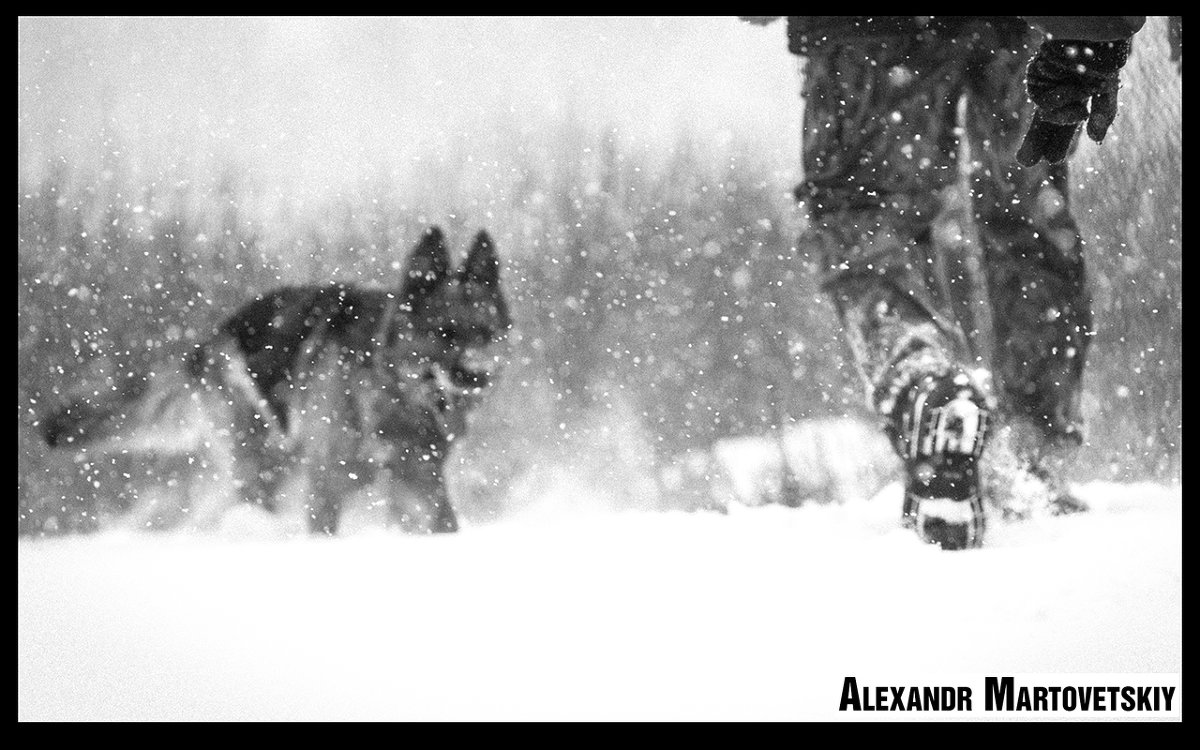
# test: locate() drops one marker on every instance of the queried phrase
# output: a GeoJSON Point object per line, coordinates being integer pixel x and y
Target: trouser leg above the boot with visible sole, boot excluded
{"type": "Point", "coordinates": [880, 148]}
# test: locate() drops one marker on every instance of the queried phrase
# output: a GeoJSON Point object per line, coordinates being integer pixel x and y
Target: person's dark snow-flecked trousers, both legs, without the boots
{"type": "Point", "coordinates": [939, 263]}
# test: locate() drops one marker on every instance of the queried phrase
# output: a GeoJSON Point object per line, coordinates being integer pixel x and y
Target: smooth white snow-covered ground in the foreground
{"type": "Point", "coordinates": [758, 615]}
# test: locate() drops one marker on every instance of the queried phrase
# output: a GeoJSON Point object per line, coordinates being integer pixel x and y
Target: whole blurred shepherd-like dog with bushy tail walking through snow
{"type": "Point", "coordinates": [341, 386]}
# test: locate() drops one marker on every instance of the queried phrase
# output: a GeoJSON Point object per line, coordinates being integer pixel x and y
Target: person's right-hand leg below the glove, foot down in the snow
{"type": "Point", "coordinates": [1036, 283]}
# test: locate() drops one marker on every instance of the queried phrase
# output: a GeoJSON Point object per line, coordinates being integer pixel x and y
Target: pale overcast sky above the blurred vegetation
{"type": "Point", "coordinates": [313, 99]}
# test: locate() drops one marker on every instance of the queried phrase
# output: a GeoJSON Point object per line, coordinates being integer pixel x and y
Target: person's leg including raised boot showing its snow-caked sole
{"type": "Point", "coordinates": [880, 148]}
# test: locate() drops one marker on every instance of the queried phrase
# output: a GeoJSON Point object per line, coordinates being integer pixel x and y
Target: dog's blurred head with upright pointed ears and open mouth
{"type": "Point", "coordinates": [463, 310]}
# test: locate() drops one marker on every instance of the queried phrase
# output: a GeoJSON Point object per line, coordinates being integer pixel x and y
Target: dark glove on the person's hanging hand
{"type": "Point", "coordinates": [1064, 79]}
